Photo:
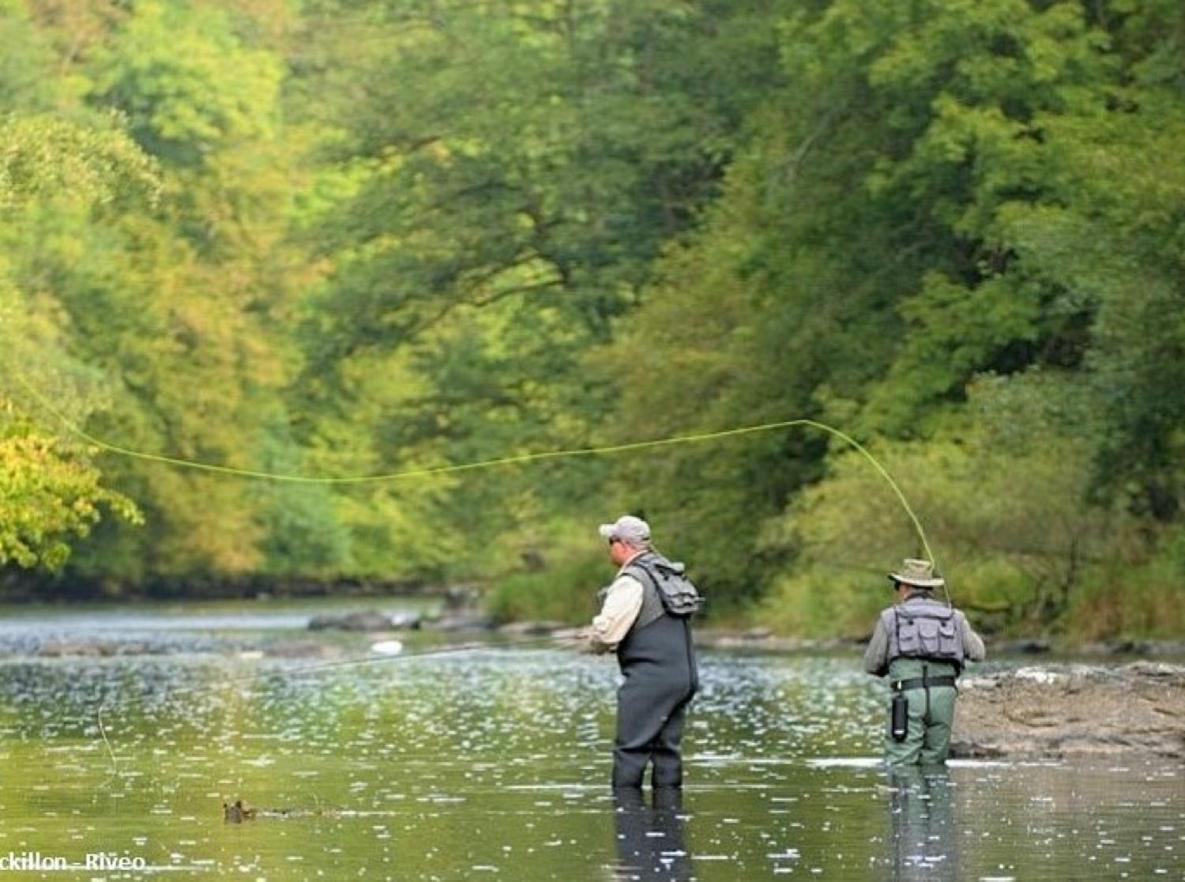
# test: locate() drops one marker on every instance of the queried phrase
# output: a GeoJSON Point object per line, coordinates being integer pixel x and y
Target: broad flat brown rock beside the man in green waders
{"type": "Point", "coordinates": [1073, 711]}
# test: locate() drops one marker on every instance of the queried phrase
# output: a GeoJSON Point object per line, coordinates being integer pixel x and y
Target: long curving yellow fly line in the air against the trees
{"type": "Point", "coordinates": [518, 459]}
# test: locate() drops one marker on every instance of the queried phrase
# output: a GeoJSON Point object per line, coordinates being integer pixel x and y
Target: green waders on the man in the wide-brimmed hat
{"type": "Point", "coordinates": [932, 714]}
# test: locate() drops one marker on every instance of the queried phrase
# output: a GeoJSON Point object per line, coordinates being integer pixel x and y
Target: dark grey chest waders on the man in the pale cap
{"type": "Point", "coordinates": [658, 662]}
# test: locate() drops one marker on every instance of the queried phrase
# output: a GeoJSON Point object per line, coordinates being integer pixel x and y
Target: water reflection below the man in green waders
{"type": "Point", "coordinates": [924, 839]}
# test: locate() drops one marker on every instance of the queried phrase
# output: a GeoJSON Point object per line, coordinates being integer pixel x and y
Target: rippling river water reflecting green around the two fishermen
{"type": "Point", "coordinates": [492, 764]}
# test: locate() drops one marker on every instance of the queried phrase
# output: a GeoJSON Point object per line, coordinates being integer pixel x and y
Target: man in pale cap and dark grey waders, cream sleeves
{"type": "Point", "coordinates": [645, 616]}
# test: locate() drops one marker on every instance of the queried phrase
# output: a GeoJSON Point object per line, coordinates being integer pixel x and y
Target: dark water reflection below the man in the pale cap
{"type": "Point", "coordinates": [651, 841]}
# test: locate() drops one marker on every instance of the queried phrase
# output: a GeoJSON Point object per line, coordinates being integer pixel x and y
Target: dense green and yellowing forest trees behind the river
{"type": "Point", "coordinates": [337, 239]}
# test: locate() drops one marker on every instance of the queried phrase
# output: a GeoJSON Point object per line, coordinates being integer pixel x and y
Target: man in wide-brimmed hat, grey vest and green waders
{"type": "Point", "coordinates": [921, 644]}
